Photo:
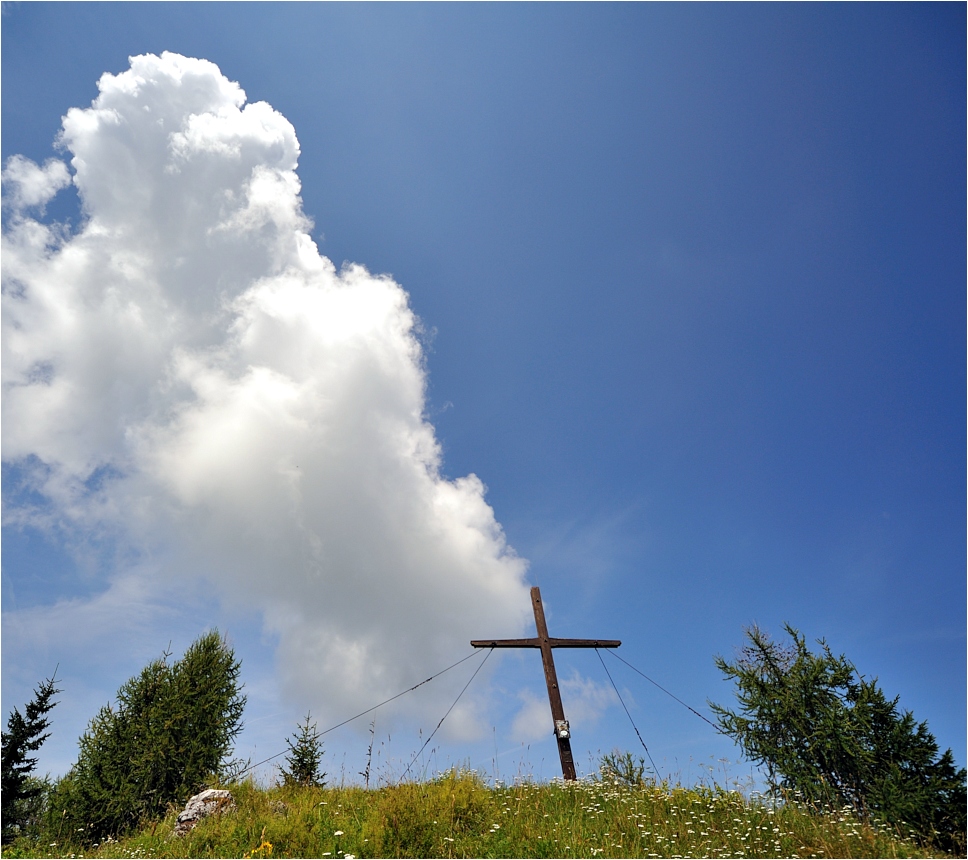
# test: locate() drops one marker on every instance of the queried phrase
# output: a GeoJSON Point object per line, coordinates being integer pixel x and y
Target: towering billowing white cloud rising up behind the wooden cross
{"type": "Point", "coordinates": [187, 376]}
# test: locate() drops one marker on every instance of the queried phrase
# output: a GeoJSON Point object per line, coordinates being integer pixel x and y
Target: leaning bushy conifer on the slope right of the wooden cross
{"type": "Point", "coordinates": [826, 733]}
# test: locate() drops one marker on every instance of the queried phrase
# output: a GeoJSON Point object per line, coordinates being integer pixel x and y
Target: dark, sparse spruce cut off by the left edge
{"type": "Point", "coordinates": [25, 733]}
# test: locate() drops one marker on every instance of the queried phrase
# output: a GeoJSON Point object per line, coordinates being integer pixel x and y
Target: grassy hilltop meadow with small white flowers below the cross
{"type": "Point", "coordinates": [457, 815]}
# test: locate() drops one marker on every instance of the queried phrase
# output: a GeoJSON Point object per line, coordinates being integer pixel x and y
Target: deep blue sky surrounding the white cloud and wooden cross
{"type": "Point", "coordinates": [691, 288]}
